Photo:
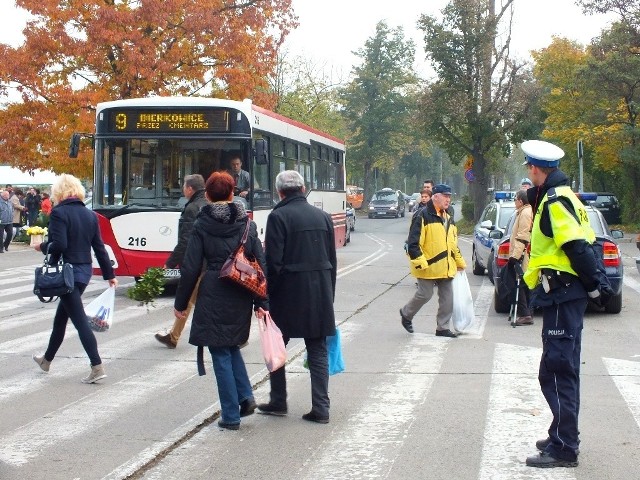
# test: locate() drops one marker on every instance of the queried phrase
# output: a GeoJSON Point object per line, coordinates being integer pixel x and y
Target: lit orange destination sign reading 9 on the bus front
{"type": "Point", "coordinates": [169, 121]}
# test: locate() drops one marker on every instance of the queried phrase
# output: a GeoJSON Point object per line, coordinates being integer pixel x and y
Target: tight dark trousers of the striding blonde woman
{"type": "Point", "coordinates": [70, 307]}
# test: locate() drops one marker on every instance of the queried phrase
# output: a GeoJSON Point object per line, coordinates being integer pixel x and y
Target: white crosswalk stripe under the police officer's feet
{"type": "Point", "coordinates": [517, 416]}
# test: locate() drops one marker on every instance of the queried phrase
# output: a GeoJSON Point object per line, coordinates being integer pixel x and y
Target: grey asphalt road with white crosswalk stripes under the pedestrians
{"type": "Point", "coordinates": [407, 406]}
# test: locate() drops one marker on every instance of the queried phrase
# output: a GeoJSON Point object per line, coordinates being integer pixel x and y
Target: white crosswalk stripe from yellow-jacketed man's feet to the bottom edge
{"type": "Point", "coordinates": [373, 437]}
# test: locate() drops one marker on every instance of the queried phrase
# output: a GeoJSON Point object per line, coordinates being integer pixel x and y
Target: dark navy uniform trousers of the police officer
{"type": "Point", "coordinates": [559, 374]}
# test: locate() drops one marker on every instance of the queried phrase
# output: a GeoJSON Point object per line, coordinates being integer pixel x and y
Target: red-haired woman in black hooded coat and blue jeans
{"type": "Point", "coordinates": [222, 315]}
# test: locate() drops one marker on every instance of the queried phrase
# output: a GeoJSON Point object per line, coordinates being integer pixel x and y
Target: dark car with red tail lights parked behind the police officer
{"type": "Point", "coordinates": [606, 248]}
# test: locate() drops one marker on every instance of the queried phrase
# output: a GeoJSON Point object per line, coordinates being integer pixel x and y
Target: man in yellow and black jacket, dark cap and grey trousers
{"type": "Point", "coordinates": [435, 258]}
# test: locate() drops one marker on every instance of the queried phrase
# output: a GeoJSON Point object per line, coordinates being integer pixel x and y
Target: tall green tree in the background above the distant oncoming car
{"type": "Point", "coordinates": [377, 105]}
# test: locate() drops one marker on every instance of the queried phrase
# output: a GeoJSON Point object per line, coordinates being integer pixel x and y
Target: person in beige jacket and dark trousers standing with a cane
{"type": "Point", "coordinates": [518, 245]}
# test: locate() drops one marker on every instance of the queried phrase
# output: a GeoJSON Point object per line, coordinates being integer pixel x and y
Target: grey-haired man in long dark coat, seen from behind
{"type": "Point", "coordinates": [301, 278]}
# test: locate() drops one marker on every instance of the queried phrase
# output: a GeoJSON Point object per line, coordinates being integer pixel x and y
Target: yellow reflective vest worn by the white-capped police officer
{"type": "Point", "coordinates": [546, 252]}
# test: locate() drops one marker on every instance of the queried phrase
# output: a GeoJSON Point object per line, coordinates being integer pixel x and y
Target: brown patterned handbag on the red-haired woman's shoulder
{"type": "Point", "coordinates": [244, 270]}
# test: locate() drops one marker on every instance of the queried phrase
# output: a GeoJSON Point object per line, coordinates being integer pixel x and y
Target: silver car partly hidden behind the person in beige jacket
{"type": "Point", "coordinates": [490, 227]}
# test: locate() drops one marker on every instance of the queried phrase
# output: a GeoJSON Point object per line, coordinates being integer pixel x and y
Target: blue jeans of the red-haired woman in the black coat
{"type": "Point", "coordinates": [233, 382]}
